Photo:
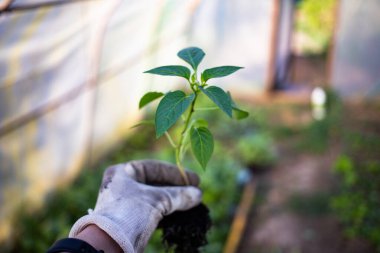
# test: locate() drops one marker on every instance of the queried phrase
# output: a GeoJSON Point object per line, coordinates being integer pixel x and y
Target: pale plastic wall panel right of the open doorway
{"type": "Point", "coordinates": [356, 58]}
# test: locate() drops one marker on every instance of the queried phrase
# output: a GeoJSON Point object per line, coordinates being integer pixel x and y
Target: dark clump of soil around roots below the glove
{"type": "Point", "coordinates": [185, 231]}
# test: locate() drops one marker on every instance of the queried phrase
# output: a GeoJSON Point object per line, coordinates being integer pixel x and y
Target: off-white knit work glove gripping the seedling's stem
{"type": "Point", "coordinates": [134, 197]}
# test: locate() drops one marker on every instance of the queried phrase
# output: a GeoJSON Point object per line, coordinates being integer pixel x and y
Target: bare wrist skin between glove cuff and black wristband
{"type": "Point", "coordinates": [99, 239]}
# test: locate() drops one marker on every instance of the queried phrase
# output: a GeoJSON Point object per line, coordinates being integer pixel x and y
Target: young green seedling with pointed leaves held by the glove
{"type": "Point", "coordinates": [181, 104]}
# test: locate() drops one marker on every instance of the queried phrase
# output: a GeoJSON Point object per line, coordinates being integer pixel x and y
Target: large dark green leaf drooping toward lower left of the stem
{"type": "Point", "coordinates": [170, 108]}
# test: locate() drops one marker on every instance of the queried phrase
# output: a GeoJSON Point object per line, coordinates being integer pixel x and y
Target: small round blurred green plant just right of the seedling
{"type": "Point", "coordinates": [256, 149]}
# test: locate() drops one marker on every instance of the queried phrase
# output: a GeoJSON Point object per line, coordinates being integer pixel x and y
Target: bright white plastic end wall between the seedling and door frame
{"type": "Point", "coordinates": [236, 32]}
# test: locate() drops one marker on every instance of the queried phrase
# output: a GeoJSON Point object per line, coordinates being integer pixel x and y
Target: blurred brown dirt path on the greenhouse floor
{"type": "Point", "coordinates": [291, 214]}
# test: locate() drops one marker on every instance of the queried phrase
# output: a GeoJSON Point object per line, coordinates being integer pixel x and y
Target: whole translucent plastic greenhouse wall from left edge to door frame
{"type": "Point", "coordinates": [71, 76]}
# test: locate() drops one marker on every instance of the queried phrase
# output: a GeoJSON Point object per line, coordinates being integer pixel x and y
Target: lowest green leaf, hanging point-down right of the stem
{"type": "Point", "coordinates": [202, 144]}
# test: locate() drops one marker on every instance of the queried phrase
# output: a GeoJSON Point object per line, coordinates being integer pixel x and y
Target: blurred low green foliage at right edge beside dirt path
{"type": "Point", "coordinates": [357, 204]}
